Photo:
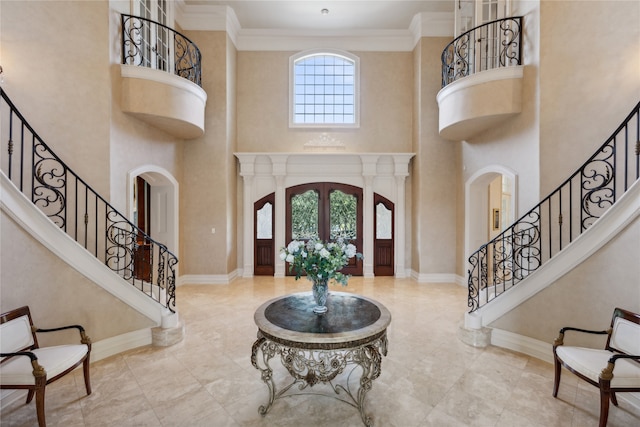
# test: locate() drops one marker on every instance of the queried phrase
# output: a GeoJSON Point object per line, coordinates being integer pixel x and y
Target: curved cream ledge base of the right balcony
{"type": "Point", "coordinates": [475, 103]}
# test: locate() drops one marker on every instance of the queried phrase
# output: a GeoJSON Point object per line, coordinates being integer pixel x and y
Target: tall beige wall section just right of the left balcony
{"type": "Point", "coordinates": [207, 198]}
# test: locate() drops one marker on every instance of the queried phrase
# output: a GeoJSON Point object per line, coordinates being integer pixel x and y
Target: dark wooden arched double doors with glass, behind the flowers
{"type": "Point", "coordinates": [326, 211]}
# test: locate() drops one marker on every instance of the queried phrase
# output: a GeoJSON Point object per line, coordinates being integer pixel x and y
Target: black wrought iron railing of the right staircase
{"type": "Point", "coordinates": [559, 218]}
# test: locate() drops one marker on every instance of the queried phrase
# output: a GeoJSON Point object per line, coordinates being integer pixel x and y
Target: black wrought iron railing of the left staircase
{"type": "Point", "coordinates": [83, 214]}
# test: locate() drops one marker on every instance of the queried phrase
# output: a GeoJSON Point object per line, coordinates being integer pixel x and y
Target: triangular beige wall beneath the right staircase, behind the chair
{"type": "Point", "coordinates": [586, 296]}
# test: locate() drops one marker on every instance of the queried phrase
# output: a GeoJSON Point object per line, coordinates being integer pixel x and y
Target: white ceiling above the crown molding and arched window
{"type": "Point", "coordinates": [342, 15]}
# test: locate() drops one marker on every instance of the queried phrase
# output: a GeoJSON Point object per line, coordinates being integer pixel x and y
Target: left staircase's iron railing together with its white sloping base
{"type": "Point", "coordinates": [51, 202]}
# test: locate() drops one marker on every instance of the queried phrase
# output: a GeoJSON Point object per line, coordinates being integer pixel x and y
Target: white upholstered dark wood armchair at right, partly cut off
{"type": "Point", "coordinates": [614, 369]}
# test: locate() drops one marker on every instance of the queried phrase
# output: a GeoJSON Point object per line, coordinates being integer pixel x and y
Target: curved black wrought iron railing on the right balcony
{"type": "Point", "coordinates": [496, 44]}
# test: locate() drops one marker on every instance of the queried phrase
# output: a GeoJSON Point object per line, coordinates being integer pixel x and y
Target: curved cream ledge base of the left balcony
{"type": "Point", "coordinates": [165, 101]}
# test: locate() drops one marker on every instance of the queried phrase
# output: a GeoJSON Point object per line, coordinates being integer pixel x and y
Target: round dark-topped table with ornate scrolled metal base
{"type": "Point", "coordinates": [318, 348]}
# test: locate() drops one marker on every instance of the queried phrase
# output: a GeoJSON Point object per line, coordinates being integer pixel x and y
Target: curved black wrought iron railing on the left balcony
{"type": "Point", "coordinates": [150, 44]}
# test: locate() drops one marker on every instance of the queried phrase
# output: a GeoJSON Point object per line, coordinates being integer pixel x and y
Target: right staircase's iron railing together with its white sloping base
{"type": "Point", "coordinates": [602, 196]}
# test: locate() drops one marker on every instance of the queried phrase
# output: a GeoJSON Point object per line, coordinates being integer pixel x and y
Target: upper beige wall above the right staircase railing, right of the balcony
{"type": "Point", "coordinates": [589, 79]}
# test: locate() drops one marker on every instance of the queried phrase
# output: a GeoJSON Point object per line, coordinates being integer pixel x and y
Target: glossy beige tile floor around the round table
{"type": "Point", "coordinates": [429, 378]}
